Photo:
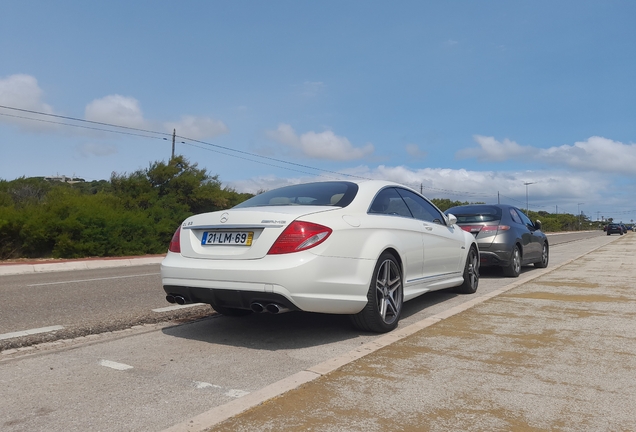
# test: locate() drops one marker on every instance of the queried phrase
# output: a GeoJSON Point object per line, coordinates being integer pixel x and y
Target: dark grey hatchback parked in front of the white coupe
{"type": "Point", "coordinates": [505, 235]}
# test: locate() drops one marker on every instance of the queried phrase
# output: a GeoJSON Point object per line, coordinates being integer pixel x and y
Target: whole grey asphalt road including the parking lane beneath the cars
{"type": "Point", "coordinates": [152, 376]}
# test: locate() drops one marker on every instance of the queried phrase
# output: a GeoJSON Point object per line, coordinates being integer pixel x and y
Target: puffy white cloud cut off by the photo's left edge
{"type": "Point", "coordinates": [22, 91]}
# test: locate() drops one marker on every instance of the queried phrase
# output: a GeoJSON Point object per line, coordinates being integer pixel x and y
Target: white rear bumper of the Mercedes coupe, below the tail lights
{"type": "Point", "coordinates": [300, 281]}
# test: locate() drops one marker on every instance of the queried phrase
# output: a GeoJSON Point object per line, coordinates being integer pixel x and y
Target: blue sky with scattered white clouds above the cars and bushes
{"type": "Point", "coordinates": [464, 100]}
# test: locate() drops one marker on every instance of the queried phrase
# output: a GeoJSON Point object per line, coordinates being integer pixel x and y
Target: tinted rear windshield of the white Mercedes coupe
{"type": "Point", "coordinates": [337, 194]}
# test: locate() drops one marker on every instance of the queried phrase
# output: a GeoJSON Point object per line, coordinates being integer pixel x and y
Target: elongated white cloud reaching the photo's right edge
{"type": "Point", "coordinates": [595, 154]}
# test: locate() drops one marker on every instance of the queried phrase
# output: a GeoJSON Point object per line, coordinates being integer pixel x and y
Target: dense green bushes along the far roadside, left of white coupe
{"type": "Point", "coordinates": [132, 214]}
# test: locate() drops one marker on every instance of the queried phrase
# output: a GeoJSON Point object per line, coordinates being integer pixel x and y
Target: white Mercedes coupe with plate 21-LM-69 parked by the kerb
{"type": "Point", "coordinates": [340, 247]}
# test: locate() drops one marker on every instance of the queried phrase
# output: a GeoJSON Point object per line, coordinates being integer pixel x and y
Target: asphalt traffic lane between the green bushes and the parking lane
{"type": "Point", "coordinates": [81, 303]}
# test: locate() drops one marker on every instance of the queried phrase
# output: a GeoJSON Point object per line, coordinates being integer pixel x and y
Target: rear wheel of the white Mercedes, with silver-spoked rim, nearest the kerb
{"type": "Point", "coordinates": [385, 298]}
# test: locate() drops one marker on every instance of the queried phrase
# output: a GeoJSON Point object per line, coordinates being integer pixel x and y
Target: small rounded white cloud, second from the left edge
{"type": "Point", "coordinates": [116, 109]}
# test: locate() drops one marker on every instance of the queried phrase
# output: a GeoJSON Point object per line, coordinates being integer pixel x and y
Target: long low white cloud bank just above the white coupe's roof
{"type": "Point", "coordinates": [549, 189]}
